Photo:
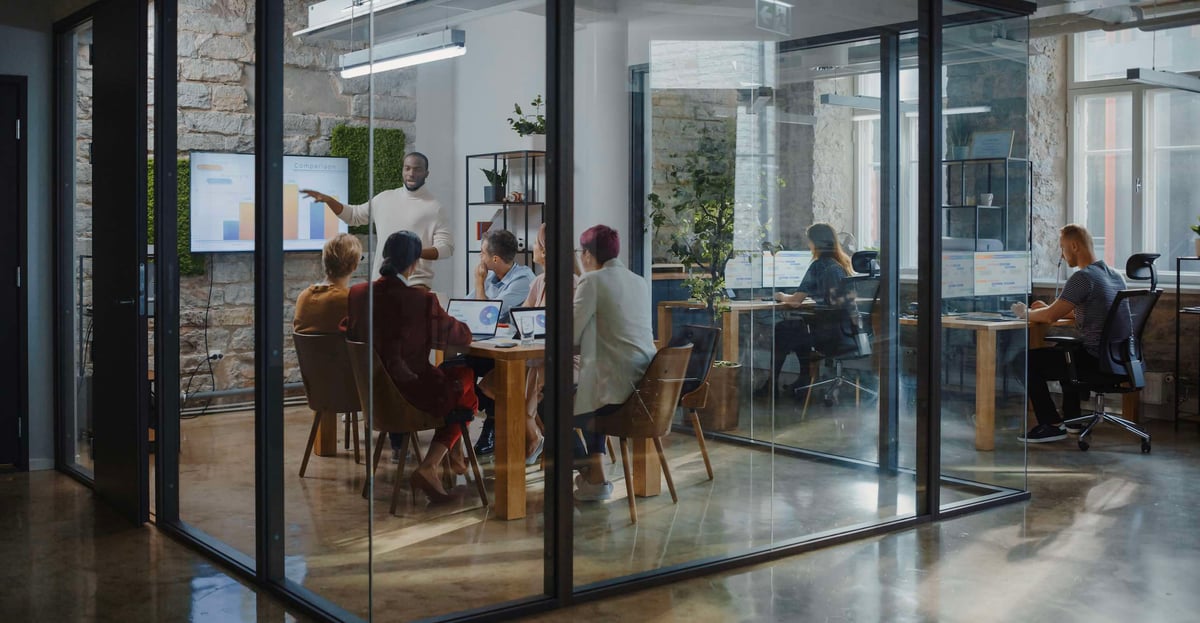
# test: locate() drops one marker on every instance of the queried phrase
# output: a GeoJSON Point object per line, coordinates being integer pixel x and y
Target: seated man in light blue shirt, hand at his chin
{"type": "Point", "coordinates": [497, 278]}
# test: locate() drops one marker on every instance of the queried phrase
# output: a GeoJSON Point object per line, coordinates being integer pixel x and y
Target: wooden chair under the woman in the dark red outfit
{"type": "Point", "coordinates": [389, 412]}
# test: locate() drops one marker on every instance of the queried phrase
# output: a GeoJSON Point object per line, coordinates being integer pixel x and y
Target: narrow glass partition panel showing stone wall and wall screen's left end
{"type": "Point", "coordinates": [217, 265]}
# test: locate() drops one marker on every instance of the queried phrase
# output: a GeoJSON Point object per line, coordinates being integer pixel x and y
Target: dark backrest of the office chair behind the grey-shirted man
{"type": "Point", "coordinates": [1121, 352]}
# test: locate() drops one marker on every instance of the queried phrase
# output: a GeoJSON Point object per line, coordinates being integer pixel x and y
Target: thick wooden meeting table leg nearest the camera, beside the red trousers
{"type": "Point", "coordinates": [511, 500]}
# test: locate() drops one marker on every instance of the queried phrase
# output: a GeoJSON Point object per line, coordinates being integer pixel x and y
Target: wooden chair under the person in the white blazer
{"type": "Point", "coordinates": [649, 412]}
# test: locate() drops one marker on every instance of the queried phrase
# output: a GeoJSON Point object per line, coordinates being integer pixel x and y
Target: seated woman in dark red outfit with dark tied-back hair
{"type": "Point", "coordinates": [409, 322]}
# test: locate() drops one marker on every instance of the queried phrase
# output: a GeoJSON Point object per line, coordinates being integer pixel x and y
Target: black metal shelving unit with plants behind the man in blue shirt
{"type": "Point", "coordinates": [527, 176]}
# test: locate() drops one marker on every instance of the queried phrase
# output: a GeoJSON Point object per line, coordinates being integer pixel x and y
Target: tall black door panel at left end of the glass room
{"type": "Point", "coordinates": [119, 254]}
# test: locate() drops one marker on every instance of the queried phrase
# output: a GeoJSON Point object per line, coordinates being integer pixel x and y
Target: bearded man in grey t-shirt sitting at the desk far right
{"type": "Point", "coordinates": [1087, 298]}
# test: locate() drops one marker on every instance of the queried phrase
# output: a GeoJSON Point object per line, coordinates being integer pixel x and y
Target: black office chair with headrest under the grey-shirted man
{"type": "Point", "coordinates": [1123, 368]}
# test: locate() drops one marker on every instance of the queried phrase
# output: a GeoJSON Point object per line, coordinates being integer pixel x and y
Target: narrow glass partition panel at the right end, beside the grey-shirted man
{"type": "Point", "coordinates": [987, 193]}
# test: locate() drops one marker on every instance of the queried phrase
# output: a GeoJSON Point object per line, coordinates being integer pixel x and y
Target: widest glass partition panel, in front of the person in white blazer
{"type": "Point", "coordinates": [743, 136]}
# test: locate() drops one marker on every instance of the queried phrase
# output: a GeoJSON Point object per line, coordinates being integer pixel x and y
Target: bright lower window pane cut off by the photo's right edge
{"type": "Point", "coordinates": [1174, 189]}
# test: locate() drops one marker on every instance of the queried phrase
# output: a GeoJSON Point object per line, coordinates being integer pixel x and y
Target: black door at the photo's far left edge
{"type": "Point", "coordinates": [14, 441]}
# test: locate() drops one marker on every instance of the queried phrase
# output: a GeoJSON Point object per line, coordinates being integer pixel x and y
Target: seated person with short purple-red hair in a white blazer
{"type": "Point", "coordinates": [613, 331]}
